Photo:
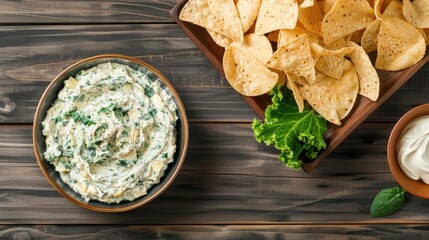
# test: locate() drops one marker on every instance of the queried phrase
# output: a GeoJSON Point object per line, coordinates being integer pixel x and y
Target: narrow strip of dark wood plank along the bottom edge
{"type": "Point", "coordinates": [209, 232]}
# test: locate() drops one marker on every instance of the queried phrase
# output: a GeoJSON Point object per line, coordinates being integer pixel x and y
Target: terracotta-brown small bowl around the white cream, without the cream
{"type": "Point", "coordinates": [410, 185]}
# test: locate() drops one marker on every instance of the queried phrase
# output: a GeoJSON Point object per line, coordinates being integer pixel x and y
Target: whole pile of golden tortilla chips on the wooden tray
{"type": "Point", "coordinates": [320, 47]}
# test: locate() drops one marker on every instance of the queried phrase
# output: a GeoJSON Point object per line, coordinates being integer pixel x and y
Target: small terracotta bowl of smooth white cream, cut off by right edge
{"type": "Point", "coordinates": [408, 151]}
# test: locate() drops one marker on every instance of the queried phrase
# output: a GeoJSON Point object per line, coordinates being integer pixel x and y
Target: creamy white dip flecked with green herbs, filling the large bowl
{"type": "Point", "coordinates": [111, 133]}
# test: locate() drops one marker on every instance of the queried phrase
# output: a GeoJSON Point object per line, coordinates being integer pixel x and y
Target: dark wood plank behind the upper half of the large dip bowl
{"type": "Point", "coordinates": [33, 55]}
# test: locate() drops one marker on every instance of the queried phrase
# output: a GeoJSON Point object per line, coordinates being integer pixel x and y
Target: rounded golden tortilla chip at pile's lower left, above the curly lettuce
{"type": "Point", "coordinates": [246, 74]}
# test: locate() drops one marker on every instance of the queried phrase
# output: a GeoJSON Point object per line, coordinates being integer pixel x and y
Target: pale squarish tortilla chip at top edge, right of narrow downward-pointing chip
{"type": "Point", "coordinates": [276, 14]}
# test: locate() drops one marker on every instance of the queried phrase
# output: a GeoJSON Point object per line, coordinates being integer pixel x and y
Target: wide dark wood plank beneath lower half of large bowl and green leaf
{"type": "Point", "coordinates": [227, 178]}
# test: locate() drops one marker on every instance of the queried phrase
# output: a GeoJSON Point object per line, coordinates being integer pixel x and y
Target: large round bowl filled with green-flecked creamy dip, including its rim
{"type": "Point", "coordinates": [110, 133]}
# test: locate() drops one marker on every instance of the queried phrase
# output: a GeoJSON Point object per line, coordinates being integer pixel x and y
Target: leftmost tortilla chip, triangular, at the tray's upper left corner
{"type": "Point", "coordinates": [198, 13]}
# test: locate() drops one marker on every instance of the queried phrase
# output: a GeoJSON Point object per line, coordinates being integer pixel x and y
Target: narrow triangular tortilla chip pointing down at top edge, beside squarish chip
{"type": "Point", "coordinates": [248, 11]}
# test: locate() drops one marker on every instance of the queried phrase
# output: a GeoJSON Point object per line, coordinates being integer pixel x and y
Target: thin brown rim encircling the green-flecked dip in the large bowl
{"type": "Point", "coordinates": [180, 158]}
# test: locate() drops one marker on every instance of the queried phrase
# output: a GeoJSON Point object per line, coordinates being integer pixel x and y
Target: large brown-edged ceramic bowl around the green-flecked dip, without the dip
{"type": "Point", "coordinates": [49, 97]}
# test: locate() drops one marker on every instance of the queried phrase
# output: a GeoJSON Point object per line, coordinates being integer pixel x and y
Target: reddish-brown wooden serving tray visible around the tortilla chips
{"type": "Point", "coordinates": [390, 82]}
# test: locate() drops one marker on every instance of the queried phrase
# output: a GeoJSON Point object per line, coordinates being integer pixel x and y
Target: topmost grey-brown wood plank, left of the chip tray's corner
{"type": "Point", "coordinates": [78, 11]}
